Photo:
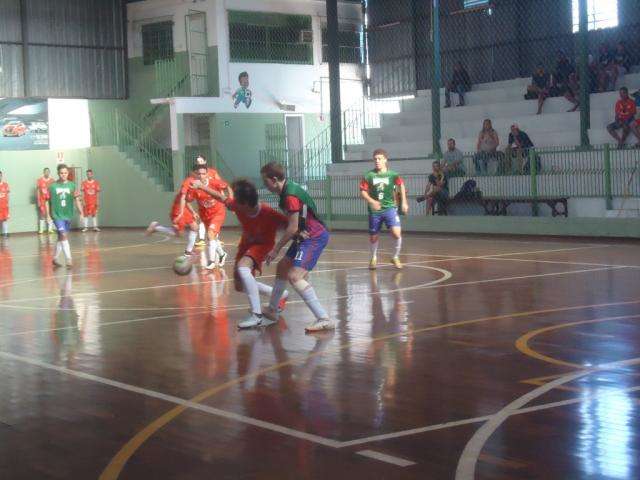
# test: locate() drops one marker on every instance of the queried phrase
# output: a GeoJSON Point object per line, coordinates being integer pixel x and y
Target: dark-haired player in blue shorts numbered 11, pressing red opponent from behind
{"type": "Point", "coordinates": [309, 237]}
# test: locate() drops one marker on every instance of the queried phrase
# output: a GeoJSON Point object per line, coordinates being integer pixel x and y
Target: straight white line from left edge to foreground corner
{"type": "Point", "coordinates": [176, 400]}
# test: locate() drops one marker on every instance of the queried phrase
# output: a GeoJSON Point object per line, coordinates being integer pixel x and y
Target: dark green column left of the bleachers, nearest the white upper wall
{"type": "Point", "coordinates": [333, 54]}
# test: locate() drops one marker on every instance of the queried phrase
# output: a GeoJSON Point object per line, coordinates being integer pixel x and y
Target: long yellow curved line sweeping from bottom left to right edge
{"type": "Point", "coordinates": [115, 466]}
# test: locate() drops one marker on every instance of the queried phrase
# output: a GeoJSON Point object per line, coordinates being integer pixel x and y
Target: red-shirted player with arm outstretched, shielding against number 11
{"type": "Point", "coordinates": [259, 224]}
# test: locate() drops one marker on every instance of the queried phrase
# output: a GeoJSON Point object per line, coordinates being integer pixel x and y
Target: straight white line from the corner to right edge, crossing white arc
{"type": "Point", "coordinates": [468, 421]}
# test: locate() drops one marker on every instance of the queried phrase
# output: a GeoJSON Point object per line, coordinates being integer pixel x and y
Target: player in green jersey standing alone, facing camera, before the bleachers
{"type": "Point", "coordinates": [379, 188]}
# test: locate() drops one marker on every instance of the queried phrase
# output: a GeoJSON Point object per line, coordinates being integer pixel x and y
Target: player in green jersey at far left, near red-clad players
{"type": "Point", "coordinates": [63, 194]}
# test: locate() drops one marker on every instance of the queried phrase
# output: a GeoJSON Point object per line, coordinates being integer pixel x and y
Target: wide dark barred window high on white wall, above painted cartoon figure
{"type": "Point", "coordinates": [270, 38]}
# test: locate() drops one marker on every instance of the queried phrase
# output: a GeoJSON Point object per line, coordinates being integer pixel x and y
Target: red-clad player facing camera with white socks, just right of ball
{"type": "Point", "coordinates": [211, 210]}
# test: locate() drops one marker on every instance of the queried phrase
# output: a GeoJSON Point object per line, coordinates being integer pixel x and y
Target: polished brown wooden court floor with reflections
{"type": "Point", "coordinates": [491, 358]}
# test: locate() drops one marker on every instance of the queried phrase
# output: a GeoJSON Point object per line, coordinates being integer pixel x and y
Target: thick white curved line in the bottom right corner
{"type": "Point", "coordinates": [468, 460]}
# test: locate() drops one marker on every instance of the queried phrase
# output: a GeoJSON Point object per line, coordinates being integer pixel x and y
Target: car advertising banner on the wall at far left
{"type": "Point", "coordinates": [24, 124]}
